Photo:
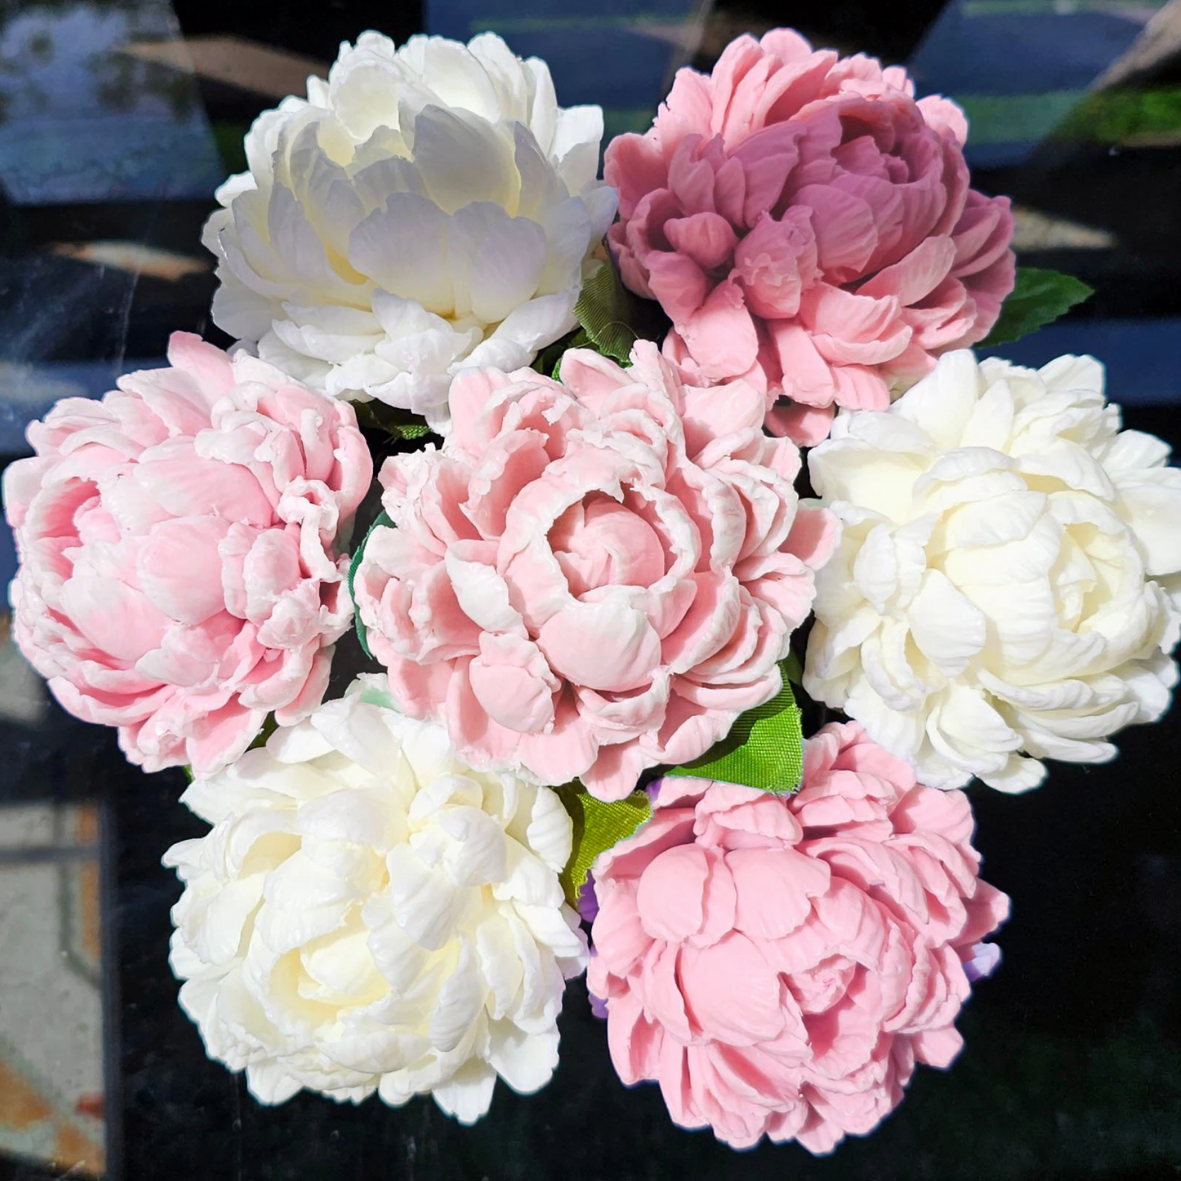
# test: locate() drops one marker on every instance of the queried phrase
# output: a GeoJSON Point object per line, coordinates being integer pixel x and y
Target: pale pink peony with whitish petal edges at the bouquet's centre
{"type": "Point", "coordinates": [593, 577]}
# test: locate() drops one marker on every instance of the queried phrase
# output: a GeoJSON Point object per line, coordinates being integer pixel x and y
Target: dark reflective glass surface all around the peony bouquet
{"type": "Point", "coordinates": [118, 120]}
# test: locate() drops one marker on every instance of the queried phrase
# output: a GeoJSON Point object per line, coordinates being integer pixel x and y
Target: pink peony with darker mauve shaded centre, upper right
{"type": "Point", "coordinates": [807, 225]}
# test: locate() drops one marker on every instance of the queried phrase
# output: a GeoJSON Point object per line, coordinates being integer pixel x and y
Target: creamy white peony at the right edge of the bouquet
{"type": "Point", "coordinates": [1007, 586]}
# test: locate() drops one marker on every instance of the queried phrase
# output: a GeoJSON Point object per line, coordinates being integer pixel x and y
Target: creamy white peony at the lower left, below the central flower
{"type": "Point", "coordinates": [369, 914]}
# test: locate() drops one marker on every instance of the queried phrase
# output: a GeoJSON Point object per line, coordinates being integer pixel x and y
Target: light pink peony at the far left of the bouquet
{"type": "Point", "coordinates": [178, 575]}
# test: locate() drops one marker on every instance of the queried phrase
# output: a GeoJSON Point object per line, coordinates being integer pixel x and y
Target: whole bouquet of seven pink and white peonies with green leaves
{"type": "Point", "coordinates": [533, 702]}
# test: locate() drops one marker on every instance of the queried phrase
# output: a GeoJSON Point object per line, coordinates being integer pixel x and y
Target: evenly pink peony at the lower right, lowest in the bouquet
{"type": "Point", "coordinates": [780, 964]}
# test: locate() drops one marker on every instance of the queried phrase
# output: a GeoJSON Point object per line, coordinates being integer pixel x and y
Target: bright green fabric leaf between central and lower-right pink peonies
{"type": "Point", "coordinates": [765, 748]}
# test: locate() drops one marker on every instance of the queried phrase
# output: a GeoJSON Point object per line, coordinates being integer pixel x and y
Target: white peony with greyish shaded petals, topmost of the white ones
{"type": "Point", "coordinates": [425, 210]}
